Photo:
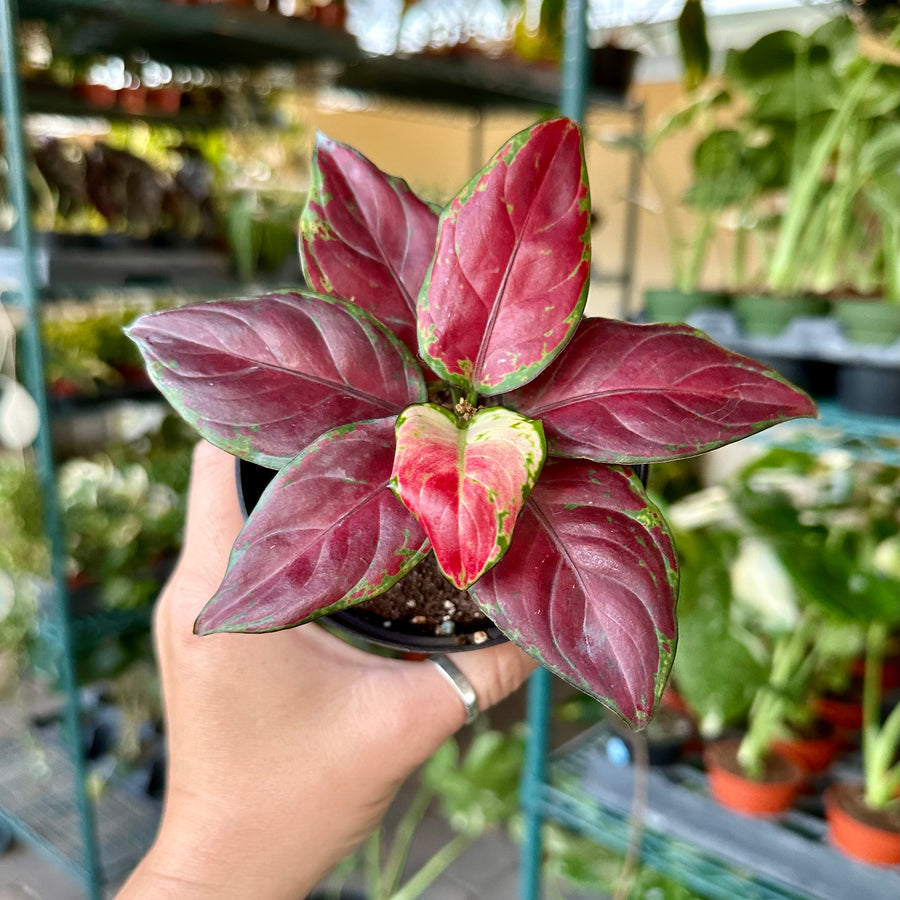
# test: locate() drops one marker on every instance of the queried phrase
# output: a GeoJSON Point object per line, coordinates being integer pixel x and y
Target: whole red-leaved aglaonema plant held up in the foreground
{"type": "Point", "coordinates": [438, 389]}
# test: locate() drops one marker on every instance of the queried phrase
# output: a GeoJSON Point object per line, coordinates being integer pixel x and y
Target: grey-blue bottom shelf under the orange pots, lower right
{"type": "Point", "coordinates": [690, 836]}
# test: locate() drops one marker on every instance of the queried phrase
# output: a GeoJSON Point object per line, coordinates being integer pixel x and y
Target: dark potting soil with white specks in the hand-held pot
{"type": "Point", "coordinates": [425, 602]}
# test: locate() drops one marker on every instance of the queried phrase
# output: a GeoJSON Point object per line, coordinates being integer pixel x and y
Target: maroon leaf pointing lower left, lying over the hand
{"type": "Point", "coordinates": [327, 533]}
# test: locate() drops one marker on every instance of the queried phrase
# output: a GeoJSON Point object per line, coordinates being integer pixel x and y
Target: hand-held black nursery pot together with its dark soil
{"type": "Point", "coordinates": [376, 622]}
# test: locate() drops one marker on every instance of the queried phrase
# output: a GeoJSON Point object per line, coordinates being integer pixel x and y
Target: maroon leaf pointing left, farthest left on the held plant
{"type": "Point", "coordinates": [263, 377]}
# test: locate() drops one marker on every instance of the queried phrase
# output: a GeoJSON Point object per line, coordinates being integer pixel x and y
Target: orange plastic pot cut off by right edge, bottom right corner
{"type": "Point", "coordinates": [869, 835]}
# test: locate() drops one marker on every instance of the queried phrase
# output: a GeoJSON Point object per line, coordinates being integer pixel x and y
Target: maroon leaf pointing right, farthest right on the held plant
{"type": "Point", "coordinates": [627, 393]}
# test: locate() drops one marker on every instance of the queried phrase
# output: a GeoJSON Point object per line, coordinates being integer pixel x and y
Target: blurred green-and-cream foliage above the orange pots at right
{"type": "Point", "coordinates": [792, 545]}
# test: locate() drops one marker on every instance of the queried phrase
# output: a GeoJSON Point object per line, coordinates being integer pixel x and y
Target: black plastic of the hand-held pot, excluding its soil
{"type": "Point", "coordinates": [356, 623]}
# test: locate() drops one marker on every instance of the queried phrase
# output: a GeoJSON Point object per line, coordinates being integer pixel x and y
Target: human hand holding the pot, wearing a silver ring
{"type": "Point", "coordinates": [284, 749]}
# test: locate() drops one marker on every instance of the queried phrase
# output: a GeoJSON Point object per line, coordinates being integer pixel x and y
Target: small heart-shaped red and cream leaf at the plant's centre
{"type": "Point", "coordinates": [466, 481]}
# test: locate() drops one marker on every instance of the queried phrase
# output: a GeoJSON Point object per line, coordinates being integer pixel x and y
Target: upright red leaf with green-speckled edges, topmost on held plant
{"type": "Point", "coordinates": [509, 278]}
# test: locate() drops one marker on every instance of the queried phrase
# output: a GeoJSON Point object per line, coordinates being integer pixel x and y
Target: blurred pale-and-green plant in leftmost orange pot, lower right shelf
{"type": "Point", "coordinates": [746, 660]}
